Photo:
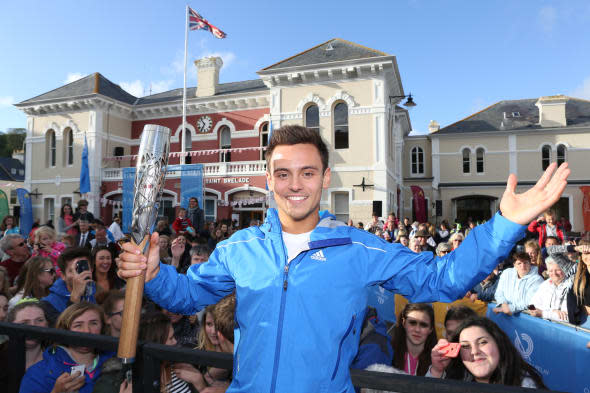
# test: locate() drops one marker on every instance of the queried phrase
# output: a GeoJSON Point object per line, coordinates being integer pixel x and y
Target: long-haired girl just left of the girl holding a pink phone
{"type": "Point", "coordinates": [414, 337]}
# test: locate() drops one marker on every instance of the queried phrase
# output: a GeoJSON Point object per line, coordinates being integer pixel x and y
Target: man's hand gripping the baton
{"type": "Point", "coordinates": [132, 262]}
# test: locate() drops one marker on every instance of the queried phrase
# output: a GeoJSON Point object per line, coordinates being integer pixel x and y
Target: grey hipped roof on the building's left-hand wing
{"type": "Point", "coordinates": [91, 84]}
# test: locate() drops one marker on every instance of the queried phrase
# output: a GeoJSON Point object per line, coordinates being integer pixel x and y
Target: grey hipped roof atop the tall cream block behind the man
{"type": "Point", "coordinates": [330, 51]}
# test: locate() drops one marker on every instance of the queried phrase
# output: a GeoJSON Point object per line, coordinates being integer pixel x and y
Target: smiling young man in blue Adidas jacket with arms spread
{"type": "Point", "coordinates": [301, 277]}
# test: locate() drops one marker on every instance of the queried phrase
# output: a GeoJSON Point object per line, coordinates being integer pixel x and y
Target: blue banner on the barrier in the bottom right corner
{"type": "Point", "coordinates": [556, 350]}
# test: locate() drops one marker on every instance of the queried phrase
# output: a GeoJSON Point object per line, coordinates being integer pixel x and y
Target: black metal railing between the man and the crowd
{"type": "Point", "coordinates": [152, 354]}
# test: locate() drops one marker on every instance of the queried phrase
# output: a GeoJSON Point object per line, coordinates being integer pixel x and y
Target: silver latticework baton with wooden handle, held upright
{"type": "Point", "coordinates": [149, 182]}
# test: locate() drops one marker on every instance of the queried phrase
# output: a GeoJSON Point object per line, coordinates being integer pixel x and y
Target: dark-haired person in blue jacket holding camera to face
{"type": "Point", "coordinates": [75, 286]}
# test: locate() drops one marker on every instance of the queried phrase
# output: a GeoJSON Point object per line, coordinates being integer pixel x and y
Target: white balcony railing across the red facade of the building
{"type": "Point", "coordinates": [240, 168]}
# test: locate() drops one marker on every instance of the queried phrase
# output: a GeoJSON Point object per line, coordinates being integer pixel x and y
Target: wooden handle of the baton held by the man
{"type": "Point", "coordinates": [131, 314]}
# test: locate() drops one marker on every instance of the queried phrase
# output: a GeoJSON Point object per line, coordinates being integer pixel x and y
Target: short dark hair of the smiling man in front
{"type": "Point", "coordinates": [294, 135]}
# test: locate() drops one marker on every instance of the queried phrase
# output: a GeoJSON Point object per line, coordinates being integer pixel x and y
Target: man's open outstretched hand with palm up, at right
{"type": "Point", "coordinates": [524, 208]}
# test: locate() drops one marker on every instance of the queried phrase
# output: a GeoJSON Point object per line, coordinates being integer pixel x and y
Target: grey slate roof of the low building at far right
{"type": "Point", "coordinates": [521, 115]}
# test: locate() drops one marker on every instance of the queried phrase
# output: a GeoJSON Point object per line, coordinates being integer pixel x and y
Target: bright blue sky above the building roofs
{"type": "Point", "coordinates": [455, 57]}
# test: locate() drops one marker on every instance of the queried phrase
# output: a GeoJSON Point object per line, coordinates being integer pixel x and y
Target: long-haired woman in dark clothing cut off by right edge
{"type": "Point", "coordinates": [579, 297]}
